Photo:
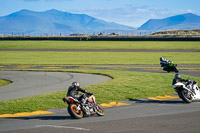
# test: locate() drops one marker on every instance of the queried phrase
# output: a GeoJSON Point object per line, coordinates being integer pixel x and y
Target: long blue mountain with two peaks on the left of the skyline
{"type": "Point", "coordinates": [54, 22]}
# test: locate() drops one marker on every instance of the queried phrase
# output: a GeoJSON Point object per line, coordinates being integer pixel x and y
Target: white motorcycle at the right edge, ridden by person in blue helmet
{"type": "Point", "coordinates": [188, 91]}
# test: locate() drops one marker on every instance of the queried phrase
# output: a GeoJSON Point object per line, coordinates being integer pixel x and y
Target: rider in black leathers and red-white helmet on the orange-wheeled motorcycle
{"type": "Point", "coordinates": [73, 92]}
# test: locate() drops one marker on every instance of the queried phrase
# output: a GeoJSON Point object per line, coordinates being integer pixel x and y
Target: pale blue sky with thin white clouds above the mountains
{"type": "Point", "coordinates": [128, 12]}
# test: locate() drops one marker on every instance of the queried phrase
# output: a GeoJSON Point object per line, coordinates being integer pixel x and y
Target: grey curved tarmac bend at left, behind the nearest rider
{"type": "Point", "coordinates": [27, 83]}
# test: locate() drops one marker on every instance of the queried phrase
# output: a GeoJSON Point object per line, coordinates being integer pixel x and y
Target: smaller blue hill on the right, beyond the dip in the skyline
{"type": "Point", "coordinates": [179, 22]}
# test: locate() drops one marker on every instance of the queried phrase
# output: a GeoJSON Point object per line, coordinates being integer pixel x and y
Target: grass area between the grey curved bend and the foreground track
{"type": "Point", "coordinates": [125, 85]}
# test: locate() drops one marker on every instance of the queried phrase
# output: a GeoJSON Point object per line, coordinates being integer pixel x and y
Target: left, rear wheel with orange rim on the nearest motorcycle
{"type": "Point", "coordinates": [74, 111]}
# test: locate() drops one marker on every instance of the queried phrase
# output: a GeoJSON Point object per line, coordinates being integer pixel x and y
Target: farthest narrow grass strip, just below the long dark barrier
{"type": "Point", "coordinates": [99, 45]}
